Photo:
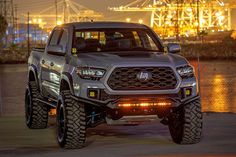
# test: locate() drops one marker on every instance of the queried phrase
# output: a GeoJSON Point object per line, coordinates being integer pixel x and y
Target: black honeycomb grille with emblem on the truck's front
{"type": "Point", "coordinates": [126, 78]}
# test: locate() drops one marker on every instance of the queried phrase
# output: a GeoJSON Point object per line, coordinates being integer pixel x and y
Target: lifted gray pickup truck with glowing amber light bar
{"type": "Point", "coordinates": [100, 72]}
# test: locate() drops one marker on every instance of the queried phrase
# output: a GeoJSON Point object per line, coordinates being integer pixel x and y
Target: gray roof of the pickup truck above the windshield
{"type": "Point", "coordinates": [94, 25]}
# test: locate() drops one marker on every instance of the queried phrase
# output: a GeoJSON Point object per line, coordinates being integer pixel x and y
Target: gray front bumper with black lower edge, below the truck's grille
{"type": "Point", "coordinates": [109, 99]}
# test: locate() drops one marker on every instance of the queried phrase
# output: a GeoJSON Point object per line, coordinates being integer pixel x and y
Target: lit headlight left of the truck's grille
{"type": "Point", "coordinates": [90, 73]}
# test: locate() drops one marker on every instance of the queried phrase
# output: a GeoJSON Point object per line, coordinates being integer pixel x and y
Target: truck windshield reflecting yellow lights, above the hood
{"type": "Point", "coordinates": [114, 40]}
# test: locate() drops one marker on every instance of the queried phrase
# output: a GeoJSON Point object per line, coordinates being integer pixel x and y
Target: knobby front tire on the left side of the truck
{"type": "Point", "coordinates": [71, 132]}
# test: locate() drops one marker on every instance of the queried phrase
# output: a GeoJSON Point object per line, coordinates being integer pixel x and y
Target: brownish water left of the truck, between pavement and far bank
{"type": "Point", "coordinates": [13, 80]}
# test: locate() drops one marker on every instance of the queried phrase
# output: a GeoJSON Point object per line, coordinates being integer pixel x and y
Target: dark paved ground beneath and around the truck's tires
{"type": "Point", "coordinates": [147, 140]}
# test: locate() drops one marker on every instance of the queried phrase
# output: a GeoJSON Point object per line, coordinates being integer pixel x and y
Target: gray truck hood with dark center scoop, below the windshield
{"type": "Point", "coordinates": [106, 60]}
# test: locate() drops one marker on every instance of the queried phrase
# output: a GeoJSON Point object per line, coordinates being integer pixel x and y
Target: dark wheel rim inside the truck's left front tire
{"type": "Point", "coordinates": [61, 123]}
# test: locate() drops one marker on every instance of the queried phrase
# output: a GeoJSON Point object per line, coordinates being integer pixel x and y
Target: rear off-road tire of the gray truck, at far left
{"type": "Point", "coordinates": [36, 113]}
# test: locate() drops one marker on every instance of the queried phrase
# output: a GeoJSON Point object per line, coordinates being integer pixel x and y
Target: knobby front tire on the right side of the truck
{"type": "Point", "coordinates": [185, 125]}
